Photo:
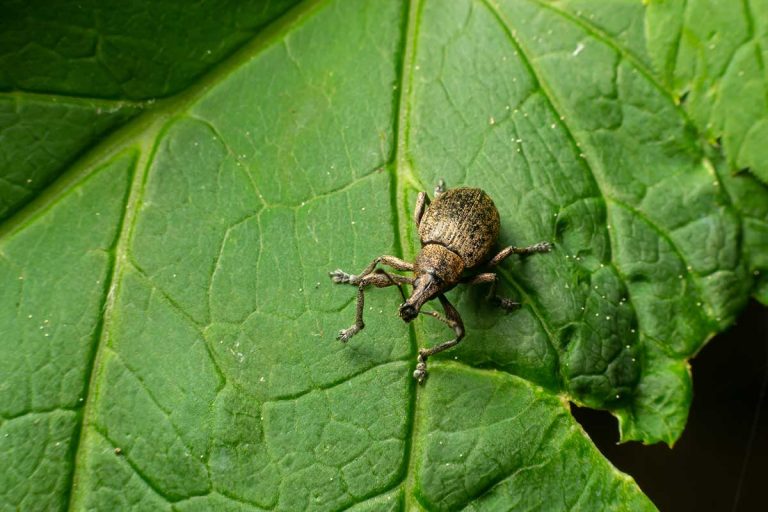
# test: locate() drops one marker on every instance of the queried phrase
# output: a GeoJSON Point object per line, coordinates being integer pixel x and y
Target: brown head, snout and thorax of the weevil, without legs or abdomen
{"type": "Point", "coordinates": [437, 270]}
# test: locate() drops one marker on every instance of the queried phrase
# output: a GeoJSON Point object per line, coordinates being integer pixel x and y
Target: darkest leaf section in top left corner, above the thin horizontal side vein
{"type": "Point", "coordinates": [128, 50]}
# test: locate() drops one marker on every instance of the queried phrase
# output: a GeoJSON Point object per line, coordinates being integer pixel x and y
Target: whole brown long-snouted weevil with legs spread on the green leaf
{"type": "Point", "coordinates": [457, 230]}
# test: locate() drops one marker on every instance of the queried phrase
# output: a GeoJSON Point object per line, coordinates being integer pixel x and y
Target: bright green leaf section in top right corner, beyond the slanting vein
{"type": "Point", "coordinates": [711, 56]}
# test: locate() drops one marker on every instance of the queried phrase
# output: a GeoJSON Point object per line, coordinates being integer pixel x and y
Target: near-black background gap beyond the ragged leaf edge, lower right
{"type": "Point", "coordinates": [721, 460]}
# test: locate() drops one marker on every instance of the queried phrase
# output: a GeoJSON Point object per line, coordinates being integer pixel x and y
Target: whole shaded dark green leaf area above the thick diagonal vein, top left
{"type": "Point", "coordinates": [85, 51]}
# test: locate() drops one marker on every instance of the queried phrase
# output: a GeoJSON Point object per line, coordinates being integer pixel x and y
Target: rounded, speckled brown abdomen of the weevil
{"type": "Point", "coordinates": [464, 220]}
